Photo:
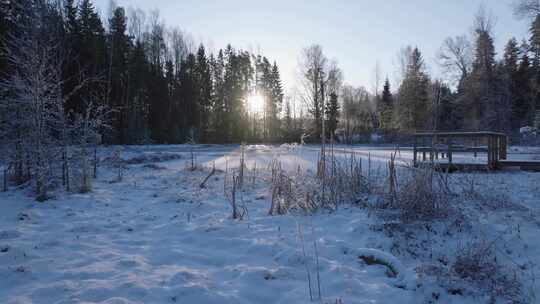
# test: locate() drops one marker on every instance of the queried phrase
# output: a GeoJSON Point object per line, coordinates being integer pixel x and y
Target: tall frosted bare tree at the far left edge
{"type": "Point", "coordinates": [34, 106]}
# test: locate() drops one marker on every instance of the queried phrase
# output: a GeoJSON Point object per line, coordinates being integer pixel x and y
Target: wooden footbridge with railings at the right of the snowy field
{"type": "Point", "coordinates": [452, 151]}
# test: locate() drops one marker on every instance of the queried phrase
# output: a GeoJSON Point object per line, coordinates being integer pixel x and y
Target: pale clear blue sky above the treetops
{"type": "Point", "coordinates": [357, 33]}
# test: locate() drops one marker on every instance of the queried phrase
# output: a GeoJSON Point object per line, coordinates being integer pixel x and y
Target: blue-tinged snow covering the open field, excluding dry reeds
{"type": "Point", "coordinates": [156, 236]}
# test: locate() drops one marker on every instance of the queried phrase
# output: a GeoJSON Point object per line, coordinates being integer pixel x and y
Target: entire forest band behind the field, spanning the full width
{"type": "Point", "coordinates": [154, 84]}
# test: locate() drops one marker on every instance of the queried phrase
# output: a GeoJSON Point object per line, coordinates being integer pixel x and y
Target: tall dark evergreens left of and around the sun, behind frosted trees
{"type": "Point", "coordinates": [161, 89]}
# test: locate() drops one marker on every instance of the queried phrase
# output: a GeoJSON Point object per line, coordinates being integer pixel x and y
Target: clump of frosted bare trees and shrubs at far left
{"type": "Point", "coordinates": [40, 136]}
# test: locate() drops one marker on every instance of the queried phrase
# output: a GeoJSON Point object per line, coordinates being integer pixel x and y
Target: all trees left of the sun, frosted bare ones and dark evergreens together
{"type": "Point", "coordinates": [67, 84]}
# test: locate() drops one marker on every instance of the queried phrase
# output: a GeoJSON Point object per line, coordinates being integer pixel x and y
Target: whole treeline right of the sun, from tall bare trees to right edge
{"type": "Point", "coordinates": [480, 92]}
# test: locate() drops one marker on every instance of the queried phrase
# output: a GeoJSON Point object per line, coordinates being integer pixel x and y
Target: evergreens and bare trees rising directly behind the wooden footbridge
{"type": "Point", "coordinates": [490, 93]}
